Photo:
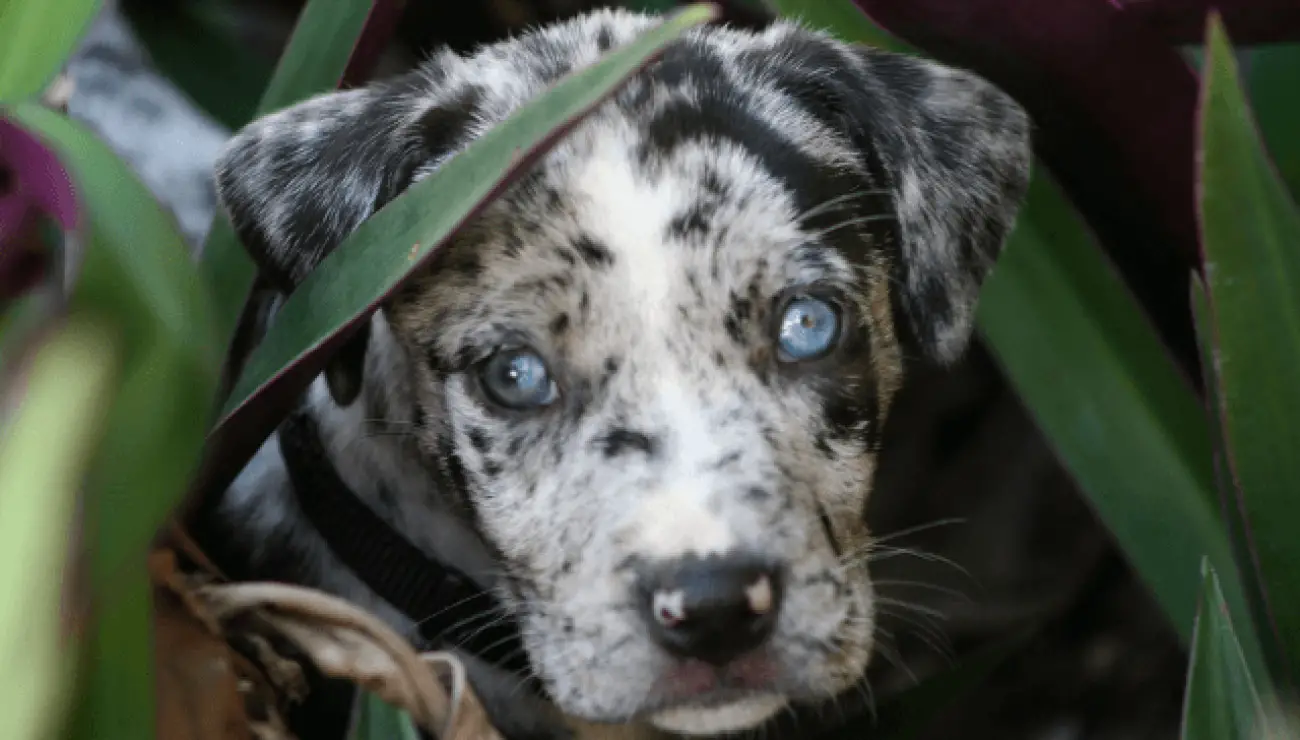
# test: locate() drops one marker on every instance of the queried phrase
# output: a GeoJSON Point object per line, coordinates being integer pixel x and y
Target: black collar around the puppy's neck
{"type": "Point", "coordinates": [450, 609]}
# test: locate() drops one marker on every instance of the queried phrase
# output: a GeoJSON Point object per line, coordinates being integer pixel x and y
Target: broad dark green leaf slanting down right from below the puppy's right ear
{"type": "Point", "coordinates": [1099, 383]}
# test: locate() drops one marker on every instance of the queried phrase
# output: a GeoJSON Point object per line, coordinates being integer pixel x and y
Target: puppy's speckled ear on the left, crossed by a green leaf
{"type": "Point", "coordinates": [300, 181]}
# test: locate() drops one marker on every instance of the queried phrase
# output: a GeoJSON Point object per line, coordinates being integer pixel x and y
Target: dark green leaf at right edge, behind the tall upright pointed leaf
{"type": "Point", "coordinates": [1273, 79]}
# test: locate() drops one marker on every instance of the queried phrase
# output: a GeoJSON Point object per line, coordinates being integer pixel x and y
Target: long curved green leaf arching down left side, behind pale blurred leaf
{"type": "Point", "coordinates": [138, 276]}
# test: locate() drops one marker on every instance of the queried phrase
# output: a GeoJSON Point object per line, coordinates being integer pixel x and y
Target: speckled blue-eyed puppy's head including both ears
{"type": "Point", "coordinates": [655, 374]}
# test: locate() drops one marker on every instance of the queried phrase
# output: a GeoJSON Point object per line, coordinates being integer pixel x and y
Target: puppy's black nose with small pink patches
{"type": "Point", "coordinates": [712, 609]}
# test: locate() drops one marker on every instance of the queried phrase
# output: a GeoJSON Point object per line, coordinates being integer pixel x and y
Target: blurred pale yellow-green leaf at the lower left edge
{"type": "Point", "coordinates": [45, 451]}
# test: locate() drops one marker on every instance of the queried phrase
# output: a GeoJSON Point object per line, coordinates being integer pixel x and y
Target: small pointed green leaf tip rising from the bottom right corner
{"type": "Point", "coordinates": [1221, 700]}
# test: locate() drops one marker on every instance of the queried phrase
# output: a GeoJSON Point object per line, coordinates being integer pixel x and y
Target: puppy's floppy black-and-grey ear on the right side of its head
{"type": "Point", "coordinates": [956, 158]}
